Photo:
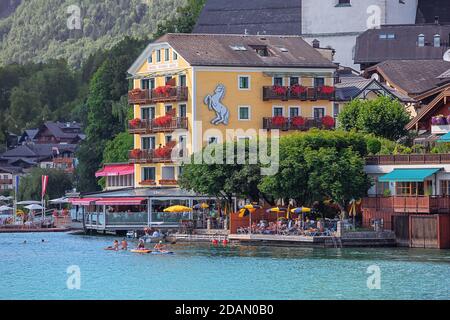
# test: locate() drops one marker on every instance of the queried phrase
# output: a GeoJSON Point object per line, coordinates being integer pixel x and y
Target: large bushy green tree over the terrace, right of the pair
{"type": "Point", "coordinates": [312, 168]}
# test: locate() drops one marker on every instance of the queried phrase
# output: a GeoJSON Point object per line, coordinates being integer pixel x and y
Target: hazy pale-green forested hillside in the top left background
{"type": "Point", "coordinates": [38, 29]}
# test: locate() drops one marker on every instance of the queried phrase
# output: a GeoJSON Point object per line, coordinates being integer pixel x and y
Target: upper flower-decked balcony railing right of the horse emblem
{"type": "Point", "coordinates": [286, 93]}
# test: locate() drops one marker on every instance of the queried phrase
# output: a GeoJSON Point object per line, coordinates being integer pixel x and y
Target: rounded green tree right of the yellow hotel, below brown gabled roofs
{"type": "Point", "coordinates": [383, 117]}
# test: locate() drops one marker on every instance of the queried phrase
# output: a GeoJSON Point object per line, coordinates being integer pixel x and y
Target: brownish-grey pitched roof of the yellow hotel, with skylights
{"type": "Point", "coordinates": [216, 50]}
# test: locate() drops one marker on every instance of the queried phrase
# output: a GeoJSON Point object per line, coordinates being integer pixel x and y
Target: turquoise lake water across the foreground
{"type": "Point", "coordinates": [37, 270]}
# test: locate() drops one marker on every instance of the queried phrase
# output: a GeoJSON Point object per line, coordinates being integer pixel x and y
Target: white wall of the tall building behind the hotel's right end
{"type": "Point", "coordinates": [338, 26]}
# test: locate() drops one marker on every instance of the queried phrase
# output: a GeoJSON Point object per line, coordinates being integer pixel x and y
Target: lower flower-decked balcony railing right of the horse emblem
{"type": "Point", "coordinates": [304, 125]}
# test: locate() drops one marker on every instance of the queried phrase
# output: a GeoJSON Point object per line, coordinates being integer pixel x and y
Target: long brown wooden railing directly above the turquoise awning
{"type": "Point", "coordinates": [428, 158]}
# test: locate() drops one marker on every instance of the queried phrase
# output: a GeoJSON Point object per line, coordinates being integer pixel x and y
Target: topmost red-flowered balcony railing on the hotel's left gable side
{"type": "Point", "coordinates": [147, 96]}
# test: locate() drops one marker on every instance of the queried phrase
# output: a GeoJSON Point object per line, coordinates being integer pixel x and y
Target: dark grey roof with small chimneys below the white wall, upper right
{"type": "Point", "coordinates": [370, 49]}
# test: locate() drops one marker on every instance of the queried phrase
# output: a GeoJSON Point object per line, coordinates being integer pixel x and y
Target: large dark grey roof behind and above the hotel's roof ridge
{"type": "Point", "coordinates": [253, 16]}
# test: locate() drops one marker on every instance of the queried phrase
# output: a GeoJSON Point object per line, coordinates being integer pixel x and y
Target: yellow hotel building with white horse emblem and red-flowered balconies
{"type": "Point", "coordinates": [190, 88]}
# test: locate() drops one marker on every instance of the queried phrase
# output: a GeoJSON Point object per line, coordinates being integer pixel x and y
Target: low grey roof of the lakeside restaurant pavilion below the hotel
{"type": "Point", "coordinates": [145, 192]}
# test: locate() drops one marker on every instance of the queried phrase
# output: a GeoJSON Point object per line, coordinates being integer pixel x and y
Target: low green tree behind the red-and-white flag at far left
{"type": "Point", "coordinates": [58, 183]}
